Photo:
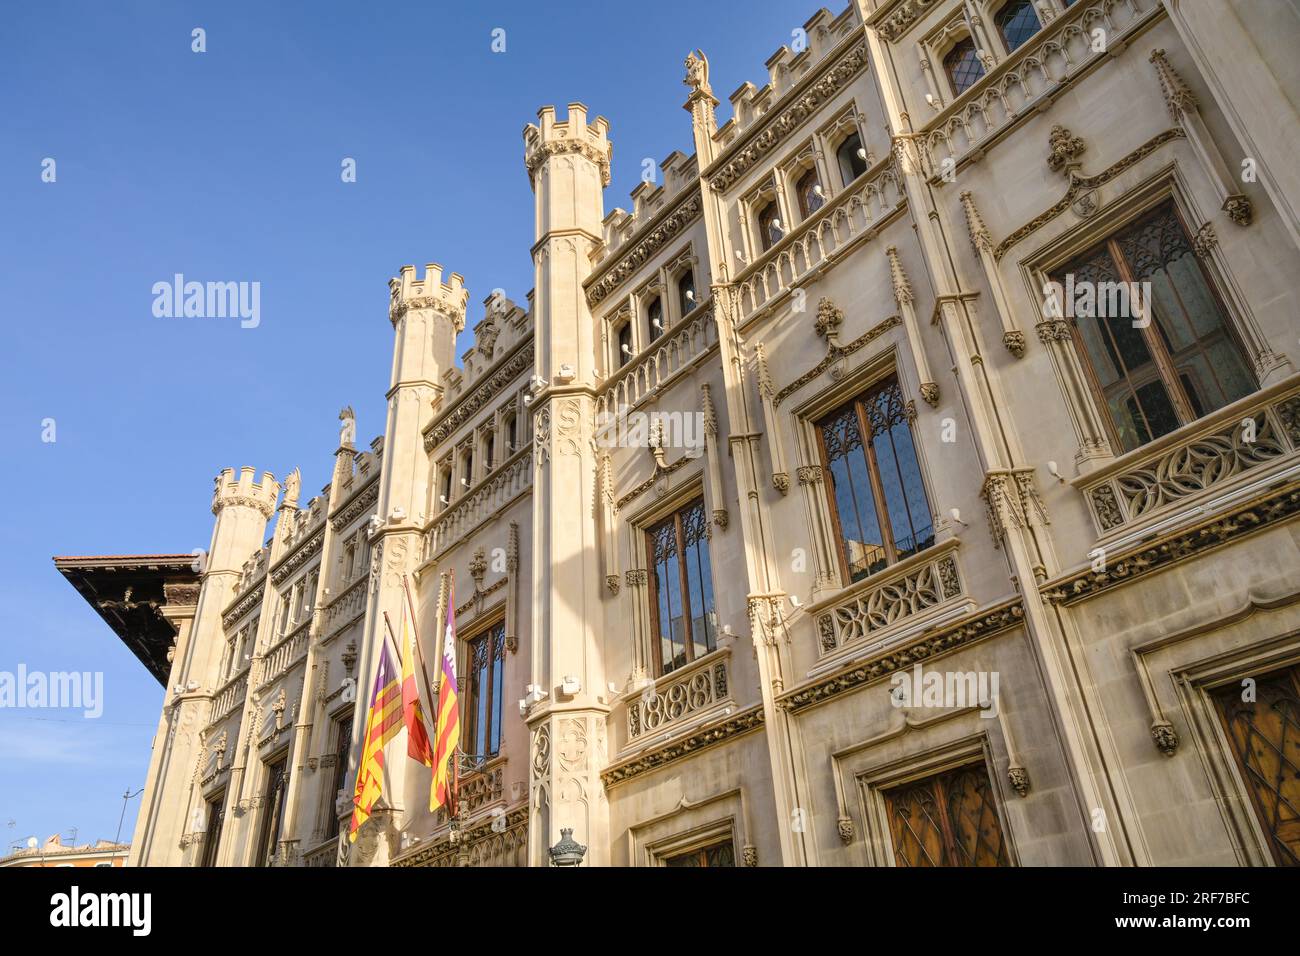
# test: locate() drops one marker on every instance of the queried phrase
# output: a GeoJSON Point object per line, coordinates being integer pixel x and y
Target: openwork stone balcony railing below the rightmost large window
{"type": "Point", "coordinates": [1246, 444]}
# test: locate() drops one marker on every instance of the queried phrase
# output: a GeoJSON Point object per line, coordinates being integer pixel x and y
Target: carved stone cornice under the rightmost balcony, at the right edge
{"type": "Point", "coordinates": [1171, 550]}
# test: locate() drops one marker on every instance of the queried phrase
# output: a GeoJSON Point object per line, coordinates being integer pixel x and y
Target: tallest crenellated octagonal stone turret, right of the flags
{"type": "Point", "coordinates": [569, 165]}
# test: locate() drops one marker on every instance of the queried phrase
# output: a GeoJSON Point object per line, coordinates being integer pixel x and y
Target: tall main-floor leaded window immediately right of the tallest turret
{"type": "Point", "coordinates": [682, 587]}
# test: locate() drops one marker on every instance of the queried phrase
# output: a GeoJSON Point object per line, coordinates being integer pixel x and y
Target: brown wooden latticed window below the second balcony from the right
{"type": "Point", "coordinates": [947, 820]}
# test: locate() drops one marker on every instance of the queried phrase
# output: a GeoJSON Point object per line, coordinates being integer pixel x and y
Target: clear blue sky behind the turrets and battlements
{"type": "Point", "coordinates": [226, 166]}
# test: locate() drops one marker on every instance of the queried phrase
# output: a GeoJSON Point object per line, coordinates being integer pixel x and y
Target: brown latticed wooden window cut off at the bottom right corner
{"type": "Point", "coordinates": [1266, 738]}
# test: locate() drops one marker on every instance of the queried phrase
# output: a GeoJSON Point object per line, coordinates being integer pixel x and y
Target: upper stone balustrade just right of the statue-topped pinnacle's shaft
{"type": "Point", "coordinates": [859, 210]}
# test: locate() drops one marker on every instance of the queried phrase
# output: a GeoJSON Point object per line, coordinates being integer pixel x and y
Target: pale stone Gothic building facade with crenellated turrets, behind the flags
{"type": "Point", "coordinates": [798, 518]}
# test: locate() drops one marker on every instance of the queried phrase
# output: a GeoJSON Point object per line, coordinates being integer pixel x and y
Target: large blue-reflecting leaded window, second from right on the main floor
{"type": "Point", "coordinates": [878, 500]}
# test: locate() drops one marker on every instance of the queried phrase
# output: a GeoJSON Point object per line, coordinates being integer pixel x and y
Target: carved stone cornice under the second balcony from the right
{"type": "Point", "coordinates": [929, 644]}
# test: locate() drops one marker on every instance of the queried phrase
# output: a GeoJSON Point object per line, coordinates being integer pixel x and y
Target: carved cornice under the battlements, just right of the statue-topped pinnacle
{"type": "Point", "coordinates": [805, 101]}
